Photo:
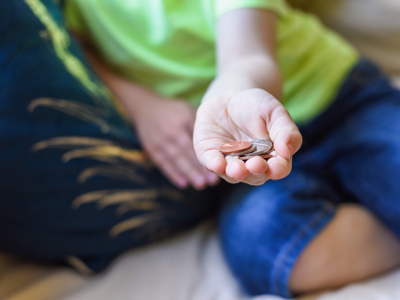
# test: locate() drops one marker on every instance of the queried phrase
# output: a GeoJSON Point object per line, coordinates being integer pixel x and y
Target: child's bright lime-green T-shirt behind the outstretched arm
{"type": "Point", "coordinates": [168, 46]}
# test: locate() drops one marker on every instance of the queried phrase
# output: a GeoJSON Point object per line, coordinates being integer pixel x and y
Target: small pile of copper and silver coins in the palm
{"type": "Point", "coordinates": [245, 150]}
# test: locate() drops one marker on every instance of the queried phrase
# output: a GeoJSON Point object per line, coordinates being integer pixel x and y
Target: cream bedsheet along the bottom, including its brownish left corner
{"type": "Point", "coordinates": [189, 267]}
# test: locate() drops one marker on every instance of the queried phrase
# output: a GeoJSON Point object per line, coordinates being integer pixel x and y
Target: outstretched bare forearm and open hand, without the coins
{"type": "Point", "coordinates": [241, 104]}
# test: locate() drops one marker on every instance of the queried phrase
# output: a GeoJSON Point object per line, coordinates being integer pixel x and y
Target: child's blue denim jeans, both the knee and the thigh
{"type": "Point", "coordinates": [350, 154]}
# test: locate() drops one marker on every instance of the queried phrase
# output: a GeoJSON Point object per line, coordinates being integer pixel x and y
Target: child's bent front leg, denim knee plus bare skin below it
{"type": "Point", "coordinates": [285, 237]}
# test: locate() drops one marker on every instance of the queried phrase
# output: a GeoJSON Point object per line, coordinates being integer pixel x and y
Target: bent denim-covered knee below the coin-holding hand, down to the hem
{"type": "Point", "coordinates": [264, 229]}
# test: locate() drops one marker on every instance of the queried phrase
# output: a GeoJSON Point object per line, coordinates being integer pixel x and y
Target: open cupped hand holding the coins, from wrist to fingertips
{"type": "Point", "coordinates": [246, 115]}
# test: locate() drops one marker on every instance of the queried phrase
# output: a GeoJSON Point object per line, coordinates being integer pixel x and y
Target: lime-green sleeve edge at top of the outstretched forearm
{"type": "Point", "coordinates": [278, 6]}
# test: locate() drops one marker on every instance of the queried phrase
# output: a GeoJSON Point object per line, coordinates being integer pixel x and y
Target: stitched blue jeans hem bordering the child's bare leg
{"type": "Point", "coordinates": [284, 253]}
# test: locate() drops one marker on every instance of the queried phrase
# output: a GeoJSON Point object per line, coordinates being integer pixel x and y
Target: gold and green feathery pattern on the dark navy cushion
{"type": "Point", "coordinates": [102, 150]}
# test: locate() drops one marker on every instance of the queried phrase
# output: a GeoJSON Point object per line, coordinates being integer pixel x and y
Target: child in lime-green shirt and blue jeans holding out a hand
{"type": "Point", "coordinates": [333, 220]}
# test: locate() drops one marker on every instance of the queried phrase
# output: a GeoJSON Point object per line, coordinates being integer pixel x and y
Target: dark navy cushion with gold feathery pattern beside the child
{"type": "Point", "coordinates": [74, 183]}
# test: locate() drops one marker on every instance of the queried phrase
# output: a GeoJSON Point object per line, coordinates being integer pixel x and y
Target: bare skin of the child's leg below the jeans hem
{"type": "Point", "coordinates": [354, 245]}
